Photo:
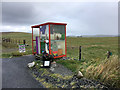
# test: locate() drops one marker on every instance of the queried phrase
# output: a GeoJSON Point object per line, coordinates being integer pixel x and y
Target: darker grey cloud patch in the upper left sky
{"type": "Point", "coordinates": [17, 13]}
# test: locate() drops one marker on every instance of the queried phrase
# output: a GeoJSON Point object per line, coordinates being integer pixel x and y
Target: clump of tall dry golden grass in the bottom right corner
{"type": "Point", "coordinates": [106, 71]}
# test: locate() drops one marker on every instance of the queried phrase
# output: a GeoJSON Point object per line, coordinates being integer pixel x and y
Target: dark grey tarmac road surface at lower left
{"type": "Point", "coordinates": [16, 74]}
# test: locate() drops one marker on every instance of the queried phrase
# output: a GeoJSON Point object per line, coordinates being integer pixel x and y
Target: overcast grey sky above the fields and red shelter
{"type": "Point", "coordinates": [82, 18]}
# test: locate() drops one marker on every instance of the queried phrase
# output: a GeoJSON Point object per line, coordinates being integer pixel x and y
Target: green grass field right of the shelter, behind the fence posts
{"type": "Point", "coordinates": [92, 47]}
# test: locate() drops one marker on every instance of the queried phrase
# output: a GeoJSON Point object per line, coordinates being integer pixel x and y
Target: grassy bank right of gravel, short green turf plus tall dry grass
{"type": "Point", "coordinates": [105, 71]}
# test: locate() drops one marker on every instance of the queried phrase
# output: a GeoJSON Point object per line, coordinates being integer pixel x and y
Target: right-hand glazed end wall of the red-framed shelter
{"type": "Point", "coordinates": [57, 36]}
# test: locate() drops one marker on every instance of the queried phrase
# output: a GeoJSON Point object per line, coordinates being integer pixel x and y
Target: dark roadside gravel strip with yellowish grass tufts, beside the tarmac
{"type": "Point", "coordinates": [58, 82]}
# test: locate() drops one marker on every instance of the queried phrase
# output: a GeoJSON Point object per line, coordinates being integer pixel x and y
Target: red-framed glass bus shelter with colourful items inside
{"type": "Point", "coordinates": [49, 37]}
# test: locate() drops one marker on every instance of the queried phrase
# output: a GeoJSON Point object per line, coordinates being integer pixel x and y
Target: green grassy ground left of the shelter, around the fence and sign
{"type": "Point", "coordinates": [12, 49]}
